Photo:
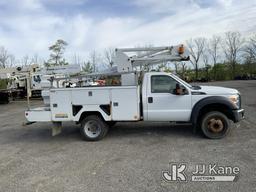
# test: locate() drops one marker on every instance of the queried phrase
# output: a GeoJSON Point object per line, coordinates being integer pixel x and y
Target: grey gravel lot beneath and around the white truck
{"type": "Point", "coordinates": [131, 157]}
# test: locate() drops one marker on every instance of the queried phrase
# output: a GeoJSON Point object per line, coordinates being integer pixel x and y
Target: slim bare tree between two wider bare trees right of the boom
{"type": "Point", "coordinates": [213, 47]}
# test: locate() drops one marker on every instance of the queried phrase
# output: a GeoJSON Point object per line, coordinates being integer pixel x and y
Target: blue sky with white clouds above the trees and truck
{"type": "Point", "coordinates": [28, 27]}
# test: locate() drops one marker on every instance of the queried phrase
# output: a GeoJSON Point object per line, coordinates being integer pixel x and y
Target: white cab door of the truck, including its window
{"type": "Point", "coordinates": [163, 103]}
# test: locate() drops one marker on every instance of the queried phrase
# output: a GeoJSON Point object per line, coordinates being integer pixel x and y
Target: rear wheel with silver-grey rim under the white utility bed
{"type": "Point", "coordinates": [93, 128]}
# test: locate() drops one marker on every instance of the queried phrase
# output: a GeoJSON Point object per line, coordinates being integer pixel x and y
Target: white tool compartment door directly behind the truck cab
{"type": "Point", "coordinates": [125, 104]}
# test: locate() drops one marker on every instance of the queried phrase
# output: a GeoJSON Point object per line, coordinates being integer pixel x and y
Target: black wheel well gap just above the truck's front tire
{"type": "Point", "coordinates": [216, 107]}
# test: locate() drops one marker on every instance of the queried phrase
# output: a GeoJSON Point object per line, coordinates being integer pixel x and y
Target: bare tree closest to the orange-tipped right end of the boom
{"type": "Point", "coordinates": [196, 48]}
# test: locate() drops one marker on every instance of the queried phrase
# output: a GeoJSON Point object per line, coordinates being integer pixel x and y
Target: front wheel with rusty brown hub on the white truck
{"type": "Point", "coordinates": [215, 125]}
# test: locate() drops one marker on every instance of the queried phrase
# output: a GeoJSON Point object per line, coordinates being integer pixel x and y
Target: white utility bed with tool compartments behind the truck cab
{"type": "Point", "coordinates": [115, 103]}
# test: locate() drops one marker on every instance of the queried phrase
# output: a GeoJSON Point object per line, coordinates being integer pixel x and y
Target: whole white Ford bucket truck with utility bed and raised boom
{"type": "Point", "coordinates": [160, 97]}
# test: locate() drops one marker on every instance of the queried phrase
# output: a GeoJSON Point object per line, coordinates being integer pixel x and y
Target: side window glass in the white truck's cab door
{"type": "Point", "coordinates": [162, 84]}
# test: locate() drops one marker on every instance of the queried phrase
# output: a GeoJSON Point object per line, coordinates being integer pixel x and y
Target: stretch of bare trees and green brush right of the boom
{"type": "Point", "coordinates": [223, 57]}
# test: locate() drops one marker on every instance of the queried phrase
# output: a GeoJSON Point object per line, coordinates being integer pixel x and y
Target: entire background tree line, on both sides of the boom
{"type": "Point", "coordinates": [221, 57]}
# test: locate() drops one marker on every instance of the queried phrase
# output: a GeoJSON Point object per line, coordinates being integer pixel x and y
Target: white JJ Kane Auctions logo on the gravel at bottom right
{"type": "Point", "coordinates": [200, 172]}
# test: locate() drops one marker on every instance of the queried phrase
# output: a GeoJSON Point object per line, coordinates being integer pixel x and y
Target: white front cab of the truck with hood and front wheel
{"type": "Point", "coordinates": [166, 97]}
